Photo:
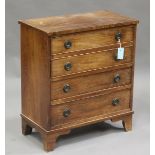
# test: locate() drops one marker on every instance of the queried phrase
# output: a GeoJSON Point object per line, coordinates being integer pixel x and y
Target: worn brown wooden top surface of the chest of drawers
{"type": "Point", "coordinates": [79, 22]}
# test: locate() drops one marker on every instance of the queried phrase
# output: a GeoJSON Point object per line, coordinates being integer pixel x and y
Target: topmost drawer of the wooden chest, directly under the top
{"type": "Point", "coordinates": [92, 39]}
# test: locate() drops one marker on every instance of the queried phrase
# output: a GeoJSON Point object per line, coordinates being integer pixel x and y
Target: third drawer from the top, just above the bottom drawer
{"type": "Point", "coordinates": [74, 87]}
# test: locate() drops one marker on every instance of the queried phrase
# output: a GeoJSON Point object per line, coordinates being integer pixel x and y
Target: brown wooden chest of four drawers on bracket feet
{"type": "Point", "coordinates": [74, 74]}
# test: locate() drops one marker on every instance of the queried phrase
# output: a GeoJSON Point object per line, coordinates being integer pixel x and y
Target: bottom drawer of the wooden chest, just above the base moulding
{"type": "Point", "coordinates": [82, 109]}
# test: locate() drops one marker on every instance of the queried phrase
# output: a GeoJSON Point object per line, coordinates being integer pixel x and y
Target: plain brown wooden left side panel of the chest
{"type": "Point", "coordinates": [35, 75]}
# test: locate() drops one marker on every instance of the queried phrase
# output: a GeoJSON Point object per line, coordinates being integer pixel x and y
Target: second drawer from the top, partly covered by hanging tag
{"type": "Point", "coordinates": [87, 62]}
